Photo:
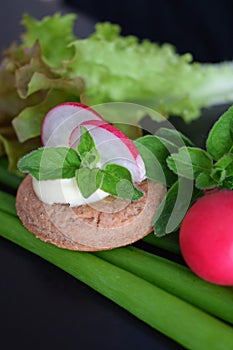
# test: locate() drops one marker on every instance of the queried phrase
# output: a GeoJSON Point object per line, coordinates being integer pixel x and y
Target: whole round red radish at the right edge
{"type": "Point", "coordinates": [206, 237]}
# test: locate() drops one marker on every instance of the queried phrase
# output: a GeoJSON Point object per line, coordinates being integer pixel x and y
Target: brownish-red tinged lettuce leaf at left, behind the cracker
{"type": "Point", "coordinates": [29, 87]}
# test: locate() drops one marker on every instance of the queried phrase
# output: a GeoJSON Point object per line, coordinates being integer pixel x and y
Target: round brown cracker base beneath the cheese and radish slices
{"type": "Point", "coordinates": [34, 216]}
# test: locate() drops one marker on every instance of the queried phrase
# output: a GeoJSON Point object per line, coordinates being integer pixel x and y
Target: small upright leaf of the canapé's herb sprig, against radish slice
{"type": "Point", "coordinates": [87, 150]}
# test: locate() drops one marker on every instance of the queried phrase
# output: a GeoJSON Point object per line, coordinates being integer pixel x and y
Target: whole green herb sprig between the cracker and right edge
{"type": "Point", "coordinates": [172, 159]}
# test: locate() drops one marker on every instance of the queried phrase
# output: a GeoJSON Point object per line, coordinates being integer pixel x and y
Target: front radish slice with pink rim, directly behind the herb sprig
{"type": "Point", "coordinates": [113, 147]}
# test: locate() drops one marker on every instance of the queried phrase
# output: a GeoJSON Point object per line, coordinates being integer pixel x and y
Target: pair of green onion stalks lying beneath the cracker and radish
{"type": "Point", "coordinates": [136, 280]}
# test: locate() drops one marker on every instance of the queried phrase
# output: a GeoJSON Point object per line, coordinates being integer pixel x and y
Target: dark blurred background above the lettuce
{"type": "Point", "coordinates": [202, 27]}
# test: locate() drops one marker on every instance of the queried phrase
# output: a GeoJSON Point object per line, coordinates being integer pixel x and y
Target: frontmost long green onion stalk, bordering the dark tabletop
{"type": "Point", "coordinates": [151, 304]}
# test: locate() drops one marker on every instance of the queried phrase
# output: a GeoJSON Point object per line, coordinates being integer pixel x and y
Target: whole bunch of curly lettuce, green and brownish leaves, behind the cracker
{"type": "Point", "coordinates": [50, 65]}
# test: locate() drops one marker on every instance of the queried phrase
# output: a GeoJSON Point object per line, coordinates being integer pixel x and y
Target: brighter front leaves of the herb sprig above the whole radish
{"type": "Point", "coordinates": [212, 167]}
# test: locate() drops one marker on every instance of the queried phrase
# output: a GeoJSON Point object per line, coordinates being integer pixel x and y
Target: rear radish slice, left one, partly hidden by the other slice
{"type": "Point", "coordinates": [62, 119]}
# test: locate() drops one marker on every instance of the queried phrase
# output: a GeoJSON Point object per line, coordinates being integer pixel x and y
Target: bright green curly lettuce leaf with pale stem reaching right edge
{"type": "Point", "coordinates": [118, 68]}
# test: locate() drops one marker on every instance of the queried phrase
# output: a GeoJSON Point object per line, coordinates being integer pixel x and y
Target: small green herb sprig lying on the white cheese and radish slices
{"type": "Point", "coordinates": [51, 163]}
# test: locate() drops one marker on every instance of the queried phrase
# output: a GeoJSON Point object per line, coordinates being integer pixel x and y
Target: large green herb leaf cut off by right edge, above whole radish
{"type": "Point", "coordinates": [220, 138]}
